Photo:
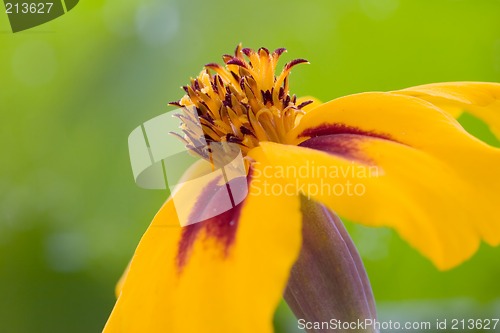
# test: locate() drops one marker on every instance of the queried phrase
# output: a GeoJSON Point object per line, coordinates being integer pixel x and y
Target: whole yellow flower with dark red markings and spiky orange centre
{"type": "Point", "coordinates": [407, 162]}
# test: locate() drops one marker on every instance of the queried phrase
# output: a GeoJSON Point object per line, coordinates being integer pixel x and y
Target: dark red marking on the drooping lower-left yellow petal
{"type": "Point", "coordinates": [222, 227]}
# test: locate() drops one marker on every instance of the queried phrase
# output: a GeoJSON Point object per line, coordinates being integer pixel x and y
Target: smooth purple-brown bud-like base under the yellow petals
{"type": "Point", "coordinates": [328, 281]}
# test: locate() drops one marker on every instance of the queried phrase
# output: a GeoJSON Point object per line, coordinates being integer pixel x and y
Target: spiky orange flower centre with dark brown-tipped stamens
{"type": "Point", "coordinates": [243, 102]}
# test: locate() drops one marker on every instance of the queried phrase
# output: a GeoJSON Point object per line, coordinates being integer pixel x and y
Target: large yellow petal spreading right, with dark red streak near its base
{"type": "Point", "coordinates": [418, 170]}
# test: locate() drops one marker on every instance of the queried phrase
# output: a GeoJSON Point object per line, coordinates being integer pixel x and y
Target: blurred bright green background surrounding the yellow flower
{"type": "Point", "coordinates": [73, 89]}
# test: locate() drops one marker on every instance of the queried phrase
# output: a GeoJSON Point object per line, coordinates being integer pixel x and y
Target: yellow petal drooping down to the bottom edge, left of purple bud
{"type": "Point", "coordinates": [218, 288]}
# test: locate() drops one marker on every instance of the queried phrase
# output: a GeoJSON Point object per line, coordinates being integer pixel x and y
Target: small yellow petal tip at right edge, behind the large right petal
{"type": "Point", "coordinates": [482, 99]}
